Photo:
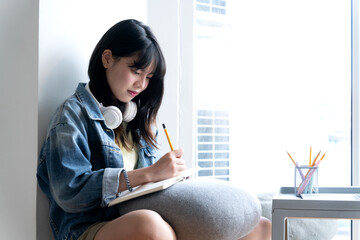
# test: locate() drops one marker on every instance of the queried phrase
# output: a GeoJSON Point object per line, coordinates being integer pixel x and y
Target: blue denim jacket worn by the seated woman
{"type": "Point", "coordinates": [79, 166]}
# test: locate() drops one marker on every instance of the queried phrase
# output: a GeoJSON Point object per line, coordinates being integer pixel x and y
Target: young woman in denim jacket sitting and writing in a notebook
{"type": "Point", "coordinates": [102, 141]}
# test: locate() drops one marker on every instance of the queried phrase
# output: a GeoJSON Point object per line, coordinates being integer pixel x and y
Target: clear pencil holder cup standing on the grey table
{"type": "Point", "coordinates": [306, 180]}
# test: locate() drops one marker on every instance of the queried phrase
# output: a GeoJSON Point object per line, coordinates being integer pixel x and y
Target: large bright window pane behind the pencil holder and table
{"type": "Point", "coordinates": [281, 70]}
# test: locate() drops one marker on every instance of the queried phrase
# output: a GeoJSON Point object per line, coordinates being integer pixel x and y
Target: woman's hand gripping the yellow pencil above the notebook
{"type": "Point", "coordinates": [169, 165]}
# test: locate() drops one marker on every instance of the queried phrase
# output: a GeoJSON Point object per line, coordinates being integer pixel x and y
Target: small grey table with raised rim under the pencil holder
{"type": "Point", "coordinates": [331, 205]}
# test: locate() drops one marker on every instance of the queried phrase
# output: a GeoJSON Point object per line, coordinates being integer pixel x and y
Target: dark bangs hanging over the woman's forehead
{"type": "Point", "coordinates": [147, 56]}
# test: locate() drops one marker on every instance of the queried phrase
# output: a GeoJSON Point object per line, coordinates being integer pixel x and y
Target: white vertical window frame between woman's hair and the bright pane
{"type": "Point", "coordinates": [174, 31]}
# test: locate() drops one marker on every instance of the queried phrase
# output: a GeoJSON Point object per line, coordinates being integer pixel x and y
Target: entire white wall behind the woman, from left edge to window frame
{"type": "Point", "coordinates": [45, 48]}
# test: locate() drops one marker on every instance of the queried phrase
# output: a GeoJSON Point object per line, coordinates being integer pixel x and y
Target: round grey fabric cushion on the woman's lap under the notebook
{"type": "Point", "coordinates": [202, 209]}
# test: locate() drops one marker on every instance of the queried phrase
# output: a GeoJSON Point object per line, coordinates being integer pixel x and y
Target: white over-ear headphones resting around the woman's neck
{"type": "Point", "coordinates": [112, 115]}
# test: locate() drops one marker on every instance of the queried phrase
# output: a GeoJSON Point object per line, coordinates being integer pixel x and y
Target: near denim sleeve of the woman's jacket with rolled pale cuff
{"type": "Point", "coordinates": [73, 184]}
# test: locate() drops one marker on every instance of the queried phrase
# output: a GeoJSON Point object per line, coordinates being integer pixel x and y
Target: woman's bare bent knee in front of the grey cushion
{"type": "Point", "coordinates": [139, 224]}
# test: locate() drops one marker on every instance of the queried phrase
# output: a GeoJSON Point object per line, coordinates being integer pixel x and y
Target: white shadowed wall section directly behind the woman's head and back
{"type": "Point", "coordinates": [68, 33]}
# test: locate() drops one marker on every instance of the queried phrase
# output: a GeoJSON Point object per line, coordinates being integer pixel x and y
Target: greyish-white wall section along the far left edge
{"type": "Point", "coordinates": [18, 111]}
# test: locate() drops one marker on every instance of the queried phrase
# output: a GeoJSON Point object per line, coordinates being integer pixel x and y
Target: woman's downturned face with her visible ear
{"type": "Point", "coordinates": [125, 82]}
